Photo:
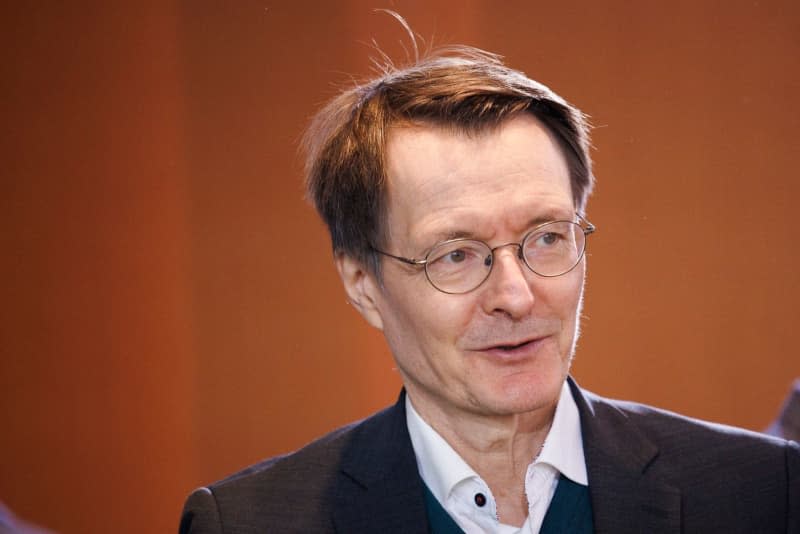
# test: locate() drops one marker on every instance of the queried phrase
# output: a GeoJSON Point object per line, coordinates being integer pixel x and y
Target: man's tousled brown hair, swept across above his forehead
{"type": "Point", "coordinates": [462, 88]}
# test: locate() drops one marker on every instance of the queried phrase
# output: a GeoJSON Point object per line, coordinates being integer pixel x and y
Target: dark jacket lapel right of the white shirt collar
{"type": "Point", "coordinates": [625, 496]}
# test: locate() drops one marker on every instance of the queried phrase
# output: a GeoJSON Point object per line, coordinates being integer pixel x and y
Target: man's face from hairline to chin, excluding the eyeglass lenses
{"type": "Point", "coordinates": [504, 348]}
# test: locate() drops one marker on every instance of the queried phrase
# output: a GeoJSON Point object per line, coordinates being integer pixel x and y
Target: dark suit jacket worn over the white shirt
{"type": "Point", "coordinates": [650, 471]}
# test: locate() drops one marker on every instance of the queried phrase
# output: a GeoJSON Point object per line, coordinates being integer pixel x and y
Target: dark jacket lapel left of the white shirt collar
{"type": "Point", "coordinates": [379, 488]}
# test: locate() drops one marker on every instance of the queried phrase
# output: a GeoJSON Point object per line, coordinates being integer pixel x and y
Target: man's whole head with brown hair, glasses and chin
{"type": "Point", "coordinates": [459, 147]}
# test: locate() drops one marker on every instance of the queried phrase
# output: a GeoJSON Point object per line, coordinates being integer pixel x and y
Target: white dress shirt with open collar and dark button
{"type": "Point", "coordinates": [468, 499]}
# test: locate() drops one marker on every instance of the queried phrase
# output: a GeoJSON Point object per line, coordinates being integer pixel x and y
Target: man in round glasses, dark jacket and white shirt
{"type": "Point", "coordinates": [455, 193]}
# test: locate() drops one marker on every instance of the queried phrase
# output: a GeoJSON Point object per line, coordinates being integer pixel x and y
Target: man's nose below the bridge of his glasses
{"type": "Point", "coordinates": [508, 290]}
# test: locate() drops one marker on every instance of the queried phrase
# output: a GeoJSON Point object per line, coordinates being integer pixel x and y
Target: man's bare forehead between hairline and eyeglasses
{"type": "Point", "coordinates": [443, 183]}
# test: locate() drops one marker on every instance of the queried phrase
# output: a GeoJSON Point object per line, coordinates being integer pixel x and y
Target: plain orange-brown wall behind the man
{"type": "Point", "coordinates": [170, 308]}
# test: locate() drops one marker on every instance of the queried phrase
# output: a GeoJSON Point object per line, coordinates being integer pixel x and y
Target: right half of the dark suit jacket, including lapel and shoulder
{"type": "Point", "coordinates": [669, 469]}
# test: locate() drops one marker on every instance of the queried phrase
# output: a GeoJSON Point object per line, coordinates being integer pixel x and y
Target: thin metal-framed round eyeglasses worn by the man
{"type": "Point", "coordinates": [461, 265]}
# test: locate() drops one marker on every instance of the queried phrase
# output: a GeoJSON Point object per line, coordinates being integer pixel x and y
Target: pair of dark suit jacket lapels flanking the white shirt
{"type": "Point", "coordinates": [379, 487]}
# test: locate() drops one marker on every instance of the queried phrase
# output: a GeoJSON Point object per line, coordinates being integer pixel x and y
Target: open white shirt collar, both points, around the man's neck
{"type": "Point", "coordinates": [441, 467]}
